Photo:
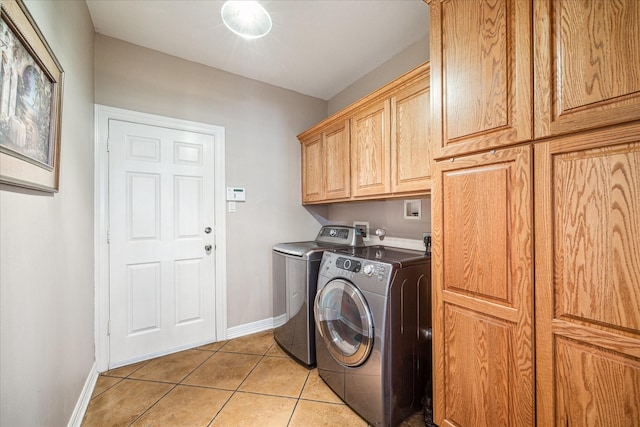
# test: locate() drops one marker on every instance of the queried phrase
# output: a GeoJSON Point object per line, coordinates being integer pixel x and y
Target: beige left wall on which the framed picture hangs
{"type": "Point", "coordinates": [46, 250]}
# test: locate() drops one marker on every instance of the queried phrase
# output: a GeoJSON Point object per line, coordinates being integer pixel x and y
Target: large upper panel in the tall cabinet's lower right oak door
{"type": "Point", "coordinates": [597, 224]}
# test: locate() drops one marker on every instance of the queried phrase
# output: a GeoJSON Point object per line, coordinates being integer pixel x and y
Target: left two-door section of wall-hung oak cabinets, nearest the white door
{"type": "Point", "coordinates": [325, 164]}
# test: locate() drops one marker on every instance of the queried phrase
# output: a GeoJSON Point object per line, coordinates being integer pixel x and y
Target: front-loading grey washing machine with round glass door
{"type": "Point", "coordinates": [373, 330]}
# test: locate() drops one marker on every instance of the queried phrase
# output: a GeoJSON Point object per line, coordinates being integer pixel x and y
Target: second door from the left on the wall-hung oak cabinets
{"type": "Point", "coordinates": [336, 159]}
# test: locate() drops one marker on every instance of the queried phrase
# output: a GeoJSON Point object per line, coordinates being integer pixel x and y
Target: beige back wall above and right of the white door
{"type": "Point", "coordinates": [262, 153]}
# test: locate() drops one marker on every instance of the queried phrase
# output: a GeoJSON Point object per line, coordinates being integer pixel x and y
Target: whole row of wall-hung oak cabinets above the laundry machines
{"type": "Point", "coordinates": [377, 148]}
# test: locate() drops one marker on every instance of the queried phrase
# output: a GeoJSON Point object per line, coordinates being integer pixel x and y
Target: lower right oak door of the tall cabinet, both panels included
{"type": "Point", "coordinates": [588, 279]}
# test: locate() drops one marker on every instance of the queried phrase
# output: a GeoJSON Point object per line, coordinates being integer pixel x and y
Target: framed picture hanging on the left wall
{"type": "Point", "coordinates": [31, 89]}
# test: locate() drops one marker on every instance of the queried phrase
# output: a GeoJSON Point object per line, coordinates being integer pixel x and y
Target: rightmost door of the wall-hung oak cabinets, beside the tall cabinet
{"type": "Point", "coordinates": [411, 139]}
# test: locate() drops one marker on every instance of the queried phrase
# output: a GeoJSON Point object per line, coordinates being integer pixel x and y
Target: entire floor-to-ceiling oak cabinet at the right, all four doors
{"type": "Point", "coordinates": [559, 78]}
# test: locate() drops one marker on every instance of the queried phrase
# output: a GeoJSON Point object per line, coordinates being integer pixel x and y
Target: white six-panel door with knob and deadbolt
{"type": "Point", "coordinates": [161, 240]}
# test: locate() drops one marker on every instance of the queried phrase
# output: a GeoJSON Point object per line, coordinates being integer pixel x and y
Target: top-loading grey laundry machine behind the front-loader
{"type": "Point", "coordinates": [295, 276]}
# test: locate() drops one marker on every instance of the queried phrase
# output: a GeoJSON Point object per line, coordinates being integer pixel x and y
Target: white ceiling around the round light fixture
{"type": "Point", "coordinates": [316, 47]}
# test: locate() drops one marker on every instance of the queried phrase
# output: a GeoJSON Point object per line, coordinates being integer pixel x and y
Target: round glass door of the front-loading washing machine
{"type": "Point", "coordinates": [345, 322]}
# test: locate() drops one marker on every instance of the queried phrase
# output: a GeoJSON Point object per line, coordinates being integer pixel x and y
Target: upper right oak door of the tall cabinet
{"type": "Point", "coordinates": [587, 56]}
